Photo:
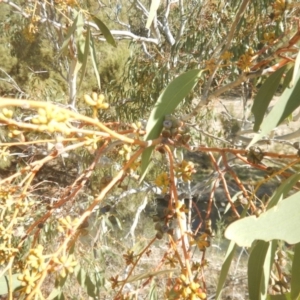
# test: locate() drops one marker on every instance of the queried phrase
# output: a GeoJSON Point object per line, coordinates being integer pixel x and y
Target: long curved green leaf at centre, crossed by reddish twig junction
{"type": "Point", "coordinates": [167, 102]}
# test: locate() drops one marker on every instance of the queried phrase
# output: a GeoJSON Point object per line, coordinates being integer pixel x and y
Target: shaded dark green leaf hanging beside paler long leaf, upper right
{"type": "Point", "coordinates": [264, 97]}
